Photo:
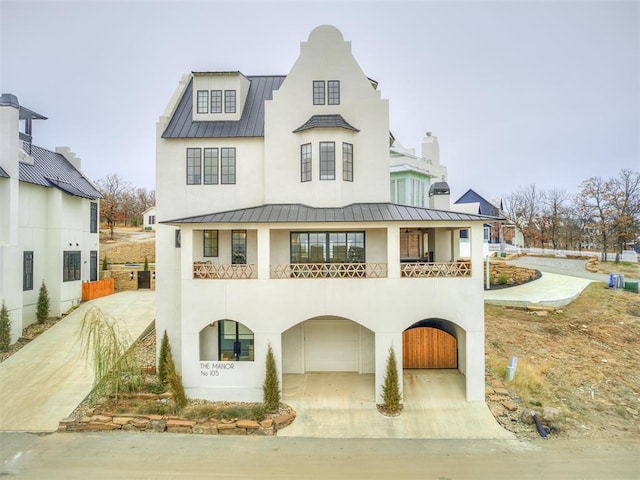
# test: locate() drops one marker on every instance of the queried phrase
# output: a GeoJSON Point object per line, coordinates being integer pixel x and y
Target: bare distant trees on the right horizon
{"type": "Point", "coordinates": [604, 215]}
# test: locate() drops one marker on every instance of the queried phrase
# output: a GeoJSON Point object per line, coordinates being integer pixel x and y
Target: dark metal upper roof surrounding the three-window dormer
{"type": "Point", "coordinates": [251, 123]}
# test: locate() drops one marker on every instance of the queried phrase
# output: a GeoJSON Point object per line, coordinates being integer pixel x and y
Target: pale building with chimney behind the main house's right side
{"type": "Point", "coordinates": [412, 175]}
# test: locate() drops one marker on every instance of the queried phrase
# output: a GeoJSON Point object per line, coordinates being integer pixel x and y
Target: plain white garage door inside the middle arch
{"type": "Point", "coordinates": [331, 345]}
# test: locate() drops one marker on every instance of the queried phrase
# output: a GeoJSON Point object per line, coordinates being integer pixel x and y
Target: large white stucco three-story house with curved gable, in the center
{"type": "Point", "coordinates": [281, 232]}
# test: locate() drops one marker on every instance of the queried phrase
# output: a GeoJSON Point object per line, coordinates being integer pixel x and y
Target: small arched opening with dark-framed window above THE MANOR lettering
{"type": "Point", "coordinates": [226, 340]}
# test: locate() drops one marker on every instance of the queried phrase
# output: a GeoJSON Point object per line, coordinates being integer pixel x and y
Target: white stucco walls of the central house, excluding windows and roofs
{"type": "Point", "coordinates": [268, 171]}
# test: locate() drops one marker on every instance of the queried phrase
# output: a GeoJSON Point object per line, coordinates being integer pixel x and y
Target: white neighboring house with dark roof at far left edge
{"type": "Point", "coordinates": [48, 220]}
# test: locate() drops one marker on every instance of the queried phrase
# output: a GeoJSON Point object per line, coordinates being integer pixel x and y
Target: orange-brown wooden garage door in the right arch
{"type": "Point", "coordinates": [427, 347]}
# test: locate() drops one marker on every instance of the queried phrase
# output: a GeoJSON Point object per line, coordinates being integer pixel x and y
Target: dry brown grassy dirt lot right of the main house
{"type": "Point", "coordinates": [582, 359]}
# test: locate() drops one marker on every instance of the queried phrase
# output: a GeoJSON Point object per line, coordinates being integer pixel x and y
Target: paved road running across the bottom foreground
{"type": "Point", "coordinates": [142, 456]}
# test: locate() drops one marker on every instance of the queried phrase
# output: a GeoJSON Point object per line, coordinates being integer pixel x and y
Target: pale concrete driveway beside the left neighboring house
{"type": "Point", "coordinates": [47, 379]}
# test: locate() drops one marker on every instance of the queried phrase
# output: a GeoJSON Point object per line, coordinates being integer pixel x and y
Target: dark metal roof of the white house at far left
{"type": "Point", "coordinates": [52, 169]}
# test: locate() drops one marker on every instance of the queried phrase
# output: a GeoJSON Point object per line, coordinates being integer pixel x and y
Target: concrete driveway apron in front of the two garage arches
{"type": "Point", "coordinates": [342, 405]}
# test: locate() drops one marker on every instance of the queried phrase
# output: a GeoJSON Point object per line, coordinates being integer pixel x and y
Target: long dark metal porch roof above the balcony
{"type": "Point", "coordinates": [357, 212]}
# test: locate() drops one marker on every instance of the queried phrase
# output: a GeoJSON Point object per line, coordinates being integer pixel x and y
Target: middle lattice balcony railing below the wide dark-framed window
{"type": "Point", "coordinates": [329, 270]}
